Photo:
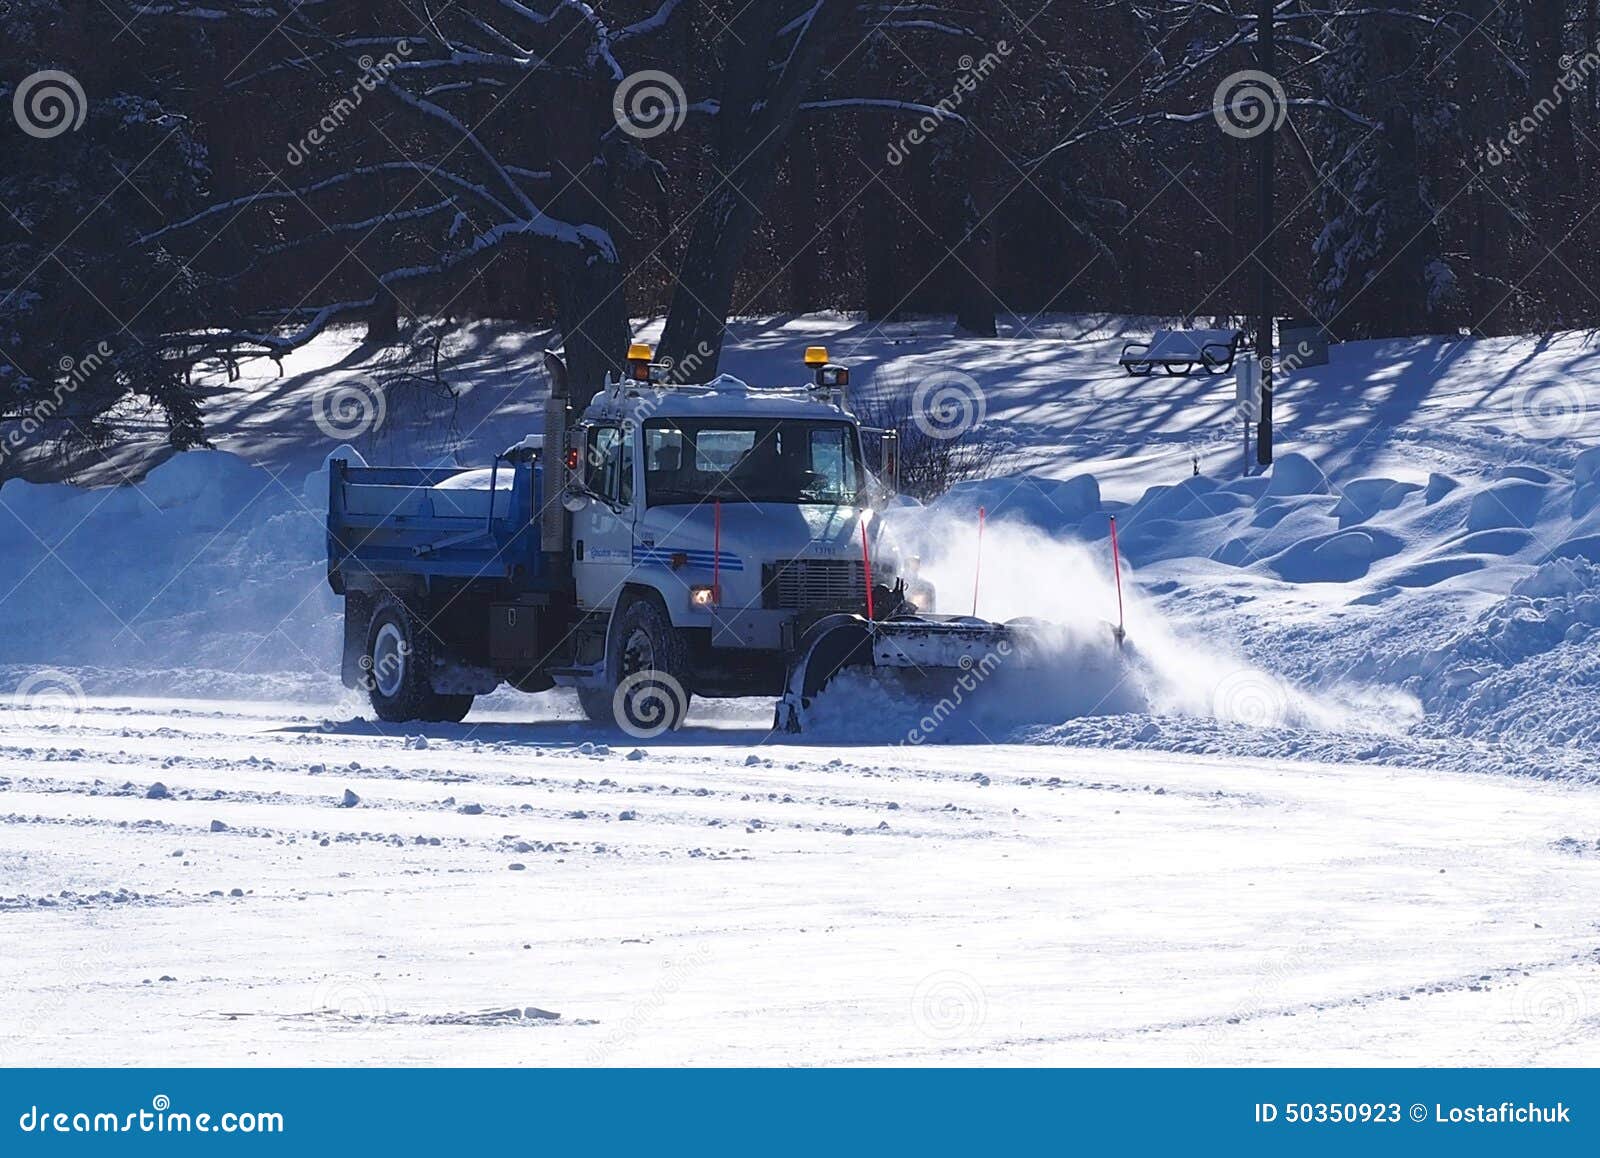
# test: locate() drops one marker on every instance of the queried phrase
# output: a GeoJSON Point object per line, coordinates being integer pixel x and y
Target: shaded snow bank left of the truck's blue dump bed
{"type": "Point", "coordinates": [209, 564]}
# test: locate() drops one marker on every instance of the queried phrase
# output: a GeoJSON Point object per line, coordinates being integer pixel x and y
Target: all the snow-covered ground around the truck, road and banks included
{"type": "Point", "coordinates": [1338, 805]}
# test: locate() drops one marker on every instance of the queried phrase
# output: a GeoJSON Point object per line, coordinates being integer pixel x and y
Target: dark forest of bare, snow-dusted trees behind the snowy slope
{"type": "Point", "coordinates": [250, 174]}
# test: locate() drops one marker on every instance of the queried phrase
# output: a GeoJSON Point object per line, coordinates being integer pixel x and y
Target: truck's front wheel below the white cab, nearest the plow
{"type": "Point", "coordinates": [647, 674]}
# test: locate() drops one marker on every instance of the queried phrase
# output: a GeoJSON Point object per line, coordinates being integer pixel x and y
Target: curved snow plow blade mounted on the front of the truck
{"type": "Point", "coordinates": [935, 647]}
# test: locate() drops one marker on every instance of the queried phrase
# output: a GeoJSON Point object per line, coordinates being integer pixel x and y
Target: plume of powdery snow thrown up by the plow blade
{"type": "Point", "coordinates": [1066, 663]}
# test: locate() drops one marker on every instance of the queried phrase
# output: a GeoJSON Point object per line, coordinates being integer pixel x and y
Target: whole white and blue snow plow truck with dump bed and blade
{"type": "Point", "coordinates": [666, 541]}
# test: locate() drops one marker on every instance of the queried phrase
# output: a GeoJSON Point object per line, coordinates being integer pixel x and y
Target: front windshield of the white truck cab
{"type": "Point", "coordinates": [751, 461]}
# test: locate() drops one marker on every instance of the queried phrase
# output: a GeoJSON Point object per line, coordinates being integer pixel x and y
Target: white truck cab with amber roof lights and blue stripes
{"type": "Point", "coordinates": [745, 514]}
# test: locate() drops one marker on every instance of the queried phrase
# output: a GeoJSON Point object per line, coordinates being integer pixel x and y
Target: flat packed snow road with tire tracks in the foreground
{"type": "Point", "coordinates": [244, 884]}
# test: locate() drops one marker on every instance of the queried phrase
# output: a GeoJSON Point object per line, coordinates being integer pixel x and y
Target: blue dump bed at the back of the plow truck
{"type": "Point", "coordinates": [462, 525]}
